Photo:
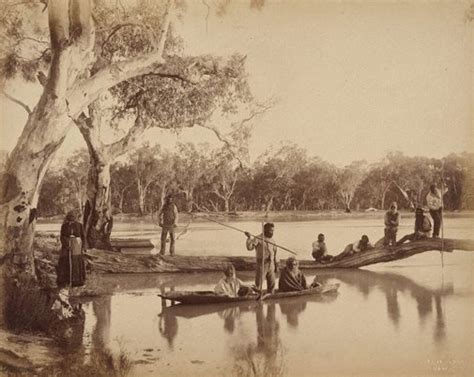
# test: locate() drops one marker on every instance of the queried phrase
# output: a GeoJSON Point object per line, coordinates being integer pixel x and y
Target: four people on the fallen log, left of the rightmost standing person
{"type": "Point", "coordinates": [392, 217]}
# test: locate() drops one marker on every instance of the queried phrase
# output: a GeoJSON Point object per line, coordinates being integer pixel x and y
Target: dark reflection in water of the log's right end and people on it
{"type": "Point", "coordinates": [391, 285]}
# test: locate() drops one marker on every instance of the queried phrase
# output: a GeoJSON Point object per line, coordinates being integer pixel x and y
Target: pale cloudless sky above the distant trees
{"type": "Point", "coordinates": [353, 80]}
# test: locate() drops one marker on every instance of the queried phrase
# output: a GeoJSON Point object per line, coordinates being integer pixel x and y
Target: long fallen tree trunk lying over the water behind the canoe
{"type": "Point", "coordinates": [112, 262]}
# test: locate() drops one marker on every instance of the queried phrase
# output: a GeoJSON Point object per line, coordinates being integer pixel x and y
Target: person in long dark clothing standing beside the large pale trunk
{"type": "Point", "coordinates": [71, 269]}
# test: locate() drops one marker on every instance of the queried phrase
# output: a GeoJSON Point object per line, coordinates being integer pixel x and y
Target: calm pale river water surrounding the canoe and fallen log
{"type": "Point", "coordinates": [404, 318]}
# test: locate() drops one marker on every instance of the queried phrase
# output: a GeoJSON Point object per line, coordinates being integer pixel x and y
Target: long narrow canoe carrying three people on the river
{"type": "Point", "coordinates": [209, 297]}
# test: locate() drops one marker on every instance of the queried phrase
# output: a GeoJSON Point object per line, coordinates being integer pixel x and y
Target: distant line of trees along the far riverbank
{"type": "Point", "coordinates": [285, 178]}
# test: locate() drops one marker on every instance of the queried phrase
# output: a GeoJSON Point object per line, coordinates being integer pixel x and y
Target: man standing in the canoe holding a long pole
{"type": "Point", "coordinates": [266, 256]}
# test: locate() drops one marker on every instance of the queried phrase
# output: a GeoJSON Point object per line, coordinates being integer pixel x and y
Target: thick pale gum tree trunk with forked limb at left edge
{"type": "Point", "coordinates": [68, 90]}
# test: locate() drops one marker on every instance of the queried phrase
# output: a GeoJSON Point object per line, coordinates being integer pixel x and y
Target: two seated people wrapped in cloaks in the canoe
{"type": "Point", "coordinates": [291, 279]}
